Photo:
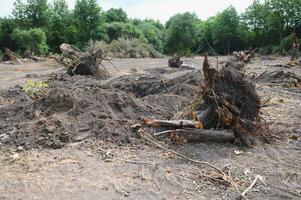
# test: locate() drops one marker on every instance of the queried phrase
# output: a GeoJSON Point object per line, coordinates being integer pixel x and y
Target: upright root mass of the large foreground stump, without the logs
{"type": "Point", "coordinates": [228, 99]}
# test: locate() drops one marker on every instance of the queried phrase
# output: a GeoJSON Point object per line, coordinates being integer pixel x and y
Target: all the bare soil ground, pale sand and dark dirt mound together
{"type": "Point", "coordinates": [96, 163]}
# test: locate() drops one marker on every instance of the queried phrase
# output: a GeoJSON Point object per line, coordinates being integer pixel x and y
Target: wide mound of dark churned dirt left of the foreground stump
{"type": "Point", "coordinates": [78, 107]}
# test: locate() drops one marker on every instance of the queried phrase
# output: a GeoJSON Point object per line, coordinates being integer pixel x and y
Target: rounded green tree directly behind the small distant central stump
{"type": "Point", "coordinates": [181, 33]}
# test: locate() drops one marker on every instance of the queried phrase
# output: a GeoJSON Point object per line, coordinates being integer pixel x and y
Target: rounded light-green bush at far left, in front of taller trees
{"type": "Point", "coordinates": [33, 39]}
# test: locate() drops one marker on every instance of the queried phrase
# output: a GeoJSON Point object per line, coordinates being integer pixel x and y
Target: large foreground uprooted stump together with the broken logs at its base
{"type": "Point", "coordinates": [227, 101]}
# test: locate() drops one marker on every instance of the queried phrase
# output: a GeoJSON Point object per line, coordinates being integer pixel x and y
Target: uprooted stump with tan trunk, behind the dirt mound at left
{"type": "Point", "coordinates": [88, 63]}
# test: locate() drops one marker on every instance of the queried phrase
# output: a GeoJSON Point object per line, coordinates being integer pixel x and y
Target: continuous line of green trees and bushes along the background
{"type": "Point", "coordinates": [41, 26]}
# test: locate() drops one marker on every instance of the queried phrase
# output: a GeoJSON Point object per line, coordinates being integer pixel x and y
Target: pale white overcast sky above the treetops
{"type": "Point", "coordinates": [156, 9]}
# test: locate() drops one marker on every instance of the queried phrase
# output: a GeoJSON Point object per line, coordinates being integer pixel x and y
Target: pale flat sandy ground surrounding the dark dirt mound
{"type": "Point", "coordinates": [95, 170]}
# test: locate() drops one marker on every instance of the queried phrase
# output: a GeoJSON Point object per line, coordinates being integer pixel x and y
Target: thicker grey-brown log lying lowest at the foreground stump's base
{"type": "Point", "coordinates": [201, 135]}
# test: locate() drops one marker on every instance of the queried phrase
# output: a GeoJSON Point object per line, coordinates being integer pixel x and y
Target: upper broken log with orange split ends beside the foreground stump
{"type": "Point", "coordinates": [173, 123]}
